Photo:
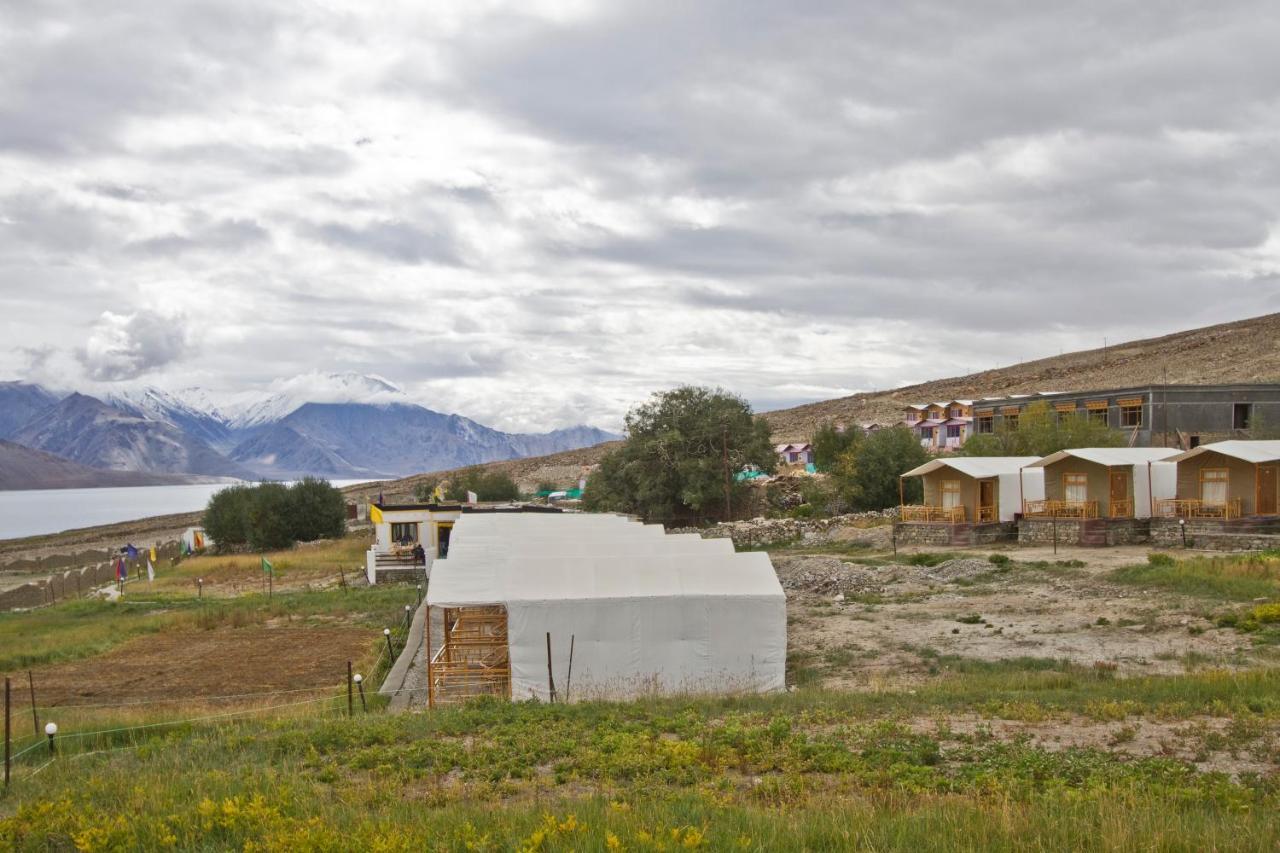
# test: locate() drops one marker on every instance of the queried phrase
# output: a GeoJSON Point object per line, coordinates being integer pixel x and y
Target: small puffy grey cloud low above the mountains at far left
{"type": "Point", "coordinates": [127, 346]}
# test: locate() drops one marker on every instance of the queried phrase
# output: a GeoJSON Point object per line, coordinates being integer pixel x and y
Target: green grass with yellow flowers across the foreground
{"type": "Point", "coordinates": [793, 772]}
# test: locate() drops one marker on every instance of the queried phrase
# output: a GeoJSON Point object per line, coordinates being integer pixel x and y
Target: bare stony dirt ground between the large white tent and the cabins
{"type": "Point", "coordinates": [861, 627]}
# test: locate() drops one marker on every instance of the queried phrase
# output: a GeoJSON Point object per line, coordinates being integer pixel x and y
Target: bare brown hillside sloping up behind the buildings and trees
{"type": "Point", "coordinates": [1241, 352]}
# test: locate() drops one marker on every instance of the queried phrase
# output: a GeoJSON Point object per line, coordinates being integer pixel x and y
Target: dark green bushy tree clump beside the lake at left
{"type": "Point", "coordinates": [272, 516]}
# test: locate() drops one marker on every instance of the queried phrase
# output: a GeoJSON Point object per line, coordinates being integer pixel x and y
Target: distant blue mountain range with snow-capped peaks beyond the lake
{"type": "Point", "coordinates": [355, 427]}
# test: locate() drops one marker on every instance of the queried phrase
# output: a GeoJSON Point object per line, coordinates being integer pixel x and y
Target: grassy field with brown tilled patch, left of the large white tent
{"type": "Point", "coordinates": [167, 645]}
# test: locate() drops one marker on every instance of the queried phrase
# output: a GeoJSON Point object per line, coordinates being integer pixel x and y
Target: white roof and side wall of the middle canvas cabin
{"type": "Point", "coordinates": [1150, 473]}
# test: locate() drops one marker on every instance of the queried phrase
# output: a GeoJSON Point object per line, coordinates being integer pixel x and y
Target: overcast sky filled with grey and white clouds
{"type": "Point", "coordinates": [538, 213]}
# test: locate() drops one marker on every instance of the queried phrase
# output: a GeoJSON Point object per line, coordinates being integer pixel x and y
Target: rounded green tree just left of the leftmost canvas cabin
{"type": "Point", "coordinates": [867, 476]}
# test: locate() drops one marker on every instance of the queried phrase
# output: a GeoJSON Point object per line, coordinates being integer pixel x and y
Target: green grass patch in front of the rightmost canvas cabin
{"type": "Point", "coordinates": [1222, 578]}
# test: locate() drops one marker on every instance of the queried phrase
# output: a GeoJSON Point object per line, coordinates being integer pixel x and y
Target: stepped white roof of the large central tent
{"type": "Point", "coordinates": [541, 558]}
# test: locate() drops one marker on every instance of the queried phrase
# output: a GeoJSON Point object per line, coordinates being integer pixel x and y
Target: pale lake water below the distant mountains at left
{"type": "Point", "coordinates": [28, 514]}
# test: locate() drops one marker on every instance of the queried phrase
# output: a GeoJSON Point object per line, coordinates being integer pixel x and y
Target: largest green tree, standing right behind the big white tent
{"type": "Point", "coordinates": [682, 448]}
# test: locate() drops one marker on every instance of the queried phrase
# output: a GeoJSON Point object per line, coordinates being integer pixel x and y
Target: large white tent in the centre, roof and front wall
{"type": "Point", "coordinates": [646, 612]}
